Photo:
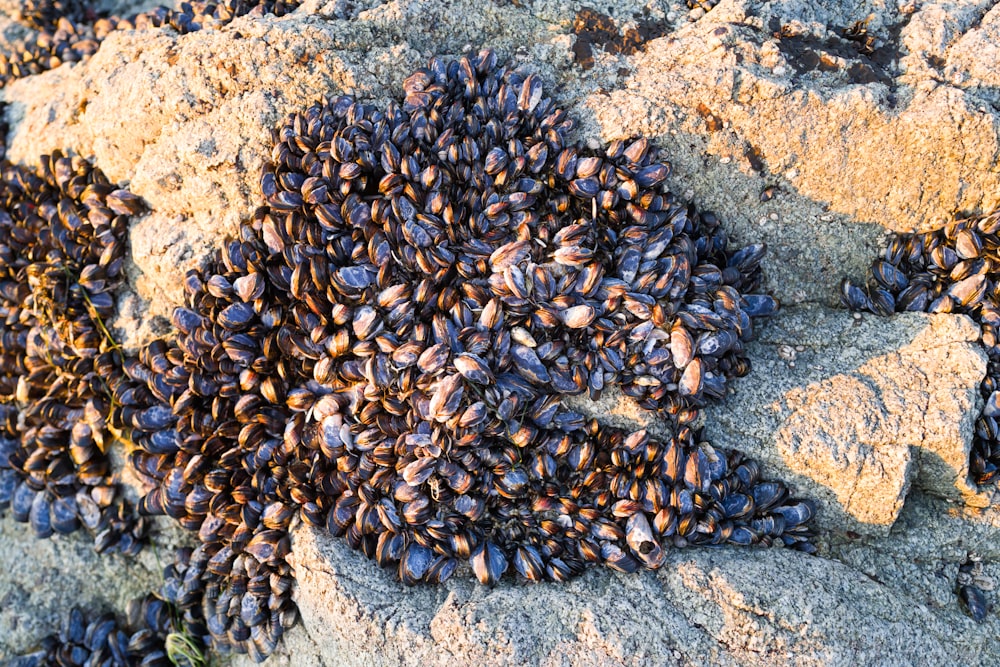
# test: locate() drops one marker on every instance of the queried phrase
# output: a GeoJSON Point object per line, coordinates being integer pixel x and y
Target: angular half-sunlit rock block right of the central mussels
{"type": "Point", "coordinates": [850, 410]}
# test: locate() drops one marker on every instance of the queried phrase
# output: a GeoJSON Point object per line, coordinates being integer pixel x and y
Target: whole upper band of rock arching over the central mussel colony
{"type": "Point", "coordinates": [737, 109]}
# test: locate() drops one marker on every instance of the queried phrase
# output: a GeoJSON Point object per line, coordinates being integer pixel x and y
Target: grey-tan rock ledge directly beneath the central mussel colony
{"type": "Point", "coordinates": [711, 606]}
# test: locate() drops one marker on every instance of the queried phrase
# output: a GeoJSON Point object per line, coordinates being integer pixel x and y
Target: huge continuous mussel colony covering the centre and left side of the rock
{"type": "Point", "coordinates": [382, 352]}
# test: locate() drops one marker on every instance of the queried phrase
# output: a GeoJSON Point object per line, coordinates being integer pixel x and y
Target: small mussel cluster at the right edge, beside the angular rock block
{"type": "Point", "coordinates": [954, 269]}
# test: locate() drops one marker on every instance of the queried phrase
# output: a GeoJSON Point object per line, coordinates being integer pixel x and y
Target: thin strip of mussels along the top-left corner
{"type": "Point", "coordinates": [71, 30]}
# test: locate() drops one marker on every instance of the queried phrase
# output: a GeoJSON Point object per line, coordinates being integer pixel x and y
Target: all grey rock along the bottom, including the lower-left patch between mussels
{"type": "Point", "coordinates": [891, 601]}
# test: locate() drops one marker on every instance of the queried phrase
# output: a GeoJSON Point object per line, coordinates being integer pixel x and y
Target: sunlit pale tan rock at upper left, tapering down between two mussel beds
{"type": "Point", "coordinates": [190, 139]}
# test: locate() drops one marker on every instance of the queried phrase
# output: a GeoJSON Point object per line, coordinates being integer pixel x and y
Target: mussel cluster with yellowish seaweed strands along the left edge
{"type": "Point", "coordinates": [62, 244]}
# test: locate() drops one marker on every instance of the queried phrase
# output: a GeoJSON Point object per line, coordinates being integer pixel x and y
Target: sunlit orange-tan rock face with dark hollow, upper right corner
{"type": "Point", "coordinates": [802, 104]}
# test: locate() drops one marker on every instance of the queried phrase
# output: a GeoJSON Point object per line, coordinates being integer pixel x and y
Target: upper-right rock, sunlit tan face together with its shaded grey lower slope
{"type": "Point", "coordinates": [825, 125]}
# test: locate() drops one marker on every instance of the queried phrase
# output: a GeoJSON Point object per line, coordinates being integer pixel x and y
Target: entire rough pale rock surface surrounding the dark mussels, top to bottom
{"type": "Point", "coordinates": [772, 120]}
